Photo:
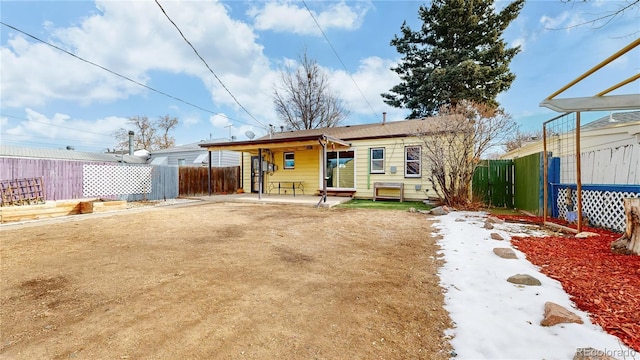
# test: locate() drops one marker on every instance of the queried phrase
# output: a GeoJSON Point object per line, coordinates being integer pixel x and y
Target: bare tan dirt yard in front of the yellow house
{"type": "Point", "coordinates": [223, 281]}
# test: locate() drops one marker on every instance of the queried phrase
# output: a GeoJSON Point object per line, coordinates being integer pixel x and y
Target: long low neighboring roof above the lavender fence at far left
{"type": "Point", "coordinates": [58, 154]}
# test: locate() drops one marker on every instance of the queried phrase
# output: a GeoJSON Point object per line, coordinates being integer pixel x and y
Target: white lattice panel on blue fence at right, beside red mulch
{"type": "Point", "coordinates": [602, 208]}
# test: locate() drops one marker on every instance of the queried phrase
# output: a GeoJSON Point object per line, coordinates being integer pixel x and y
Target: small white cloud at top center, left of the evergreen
{"type": "Point", "coordinates": [286, 16]}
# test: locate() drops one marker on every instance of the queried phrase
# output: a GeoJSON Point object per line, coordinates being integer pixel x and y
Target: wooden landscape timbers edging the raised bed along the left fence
{"type": "Point", "coordinates": [52, 209]}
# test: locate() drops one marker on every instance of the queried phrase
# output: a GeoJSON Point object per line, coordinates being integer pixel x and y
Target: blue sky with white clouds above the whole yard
{"type": "Point", "coordinates": [130, 60]}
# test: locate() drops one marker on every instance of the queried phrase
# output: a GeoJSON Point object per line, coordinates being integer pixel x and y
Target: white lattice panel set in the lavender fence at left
{"type": "Point", "coordinates": [103, 180]}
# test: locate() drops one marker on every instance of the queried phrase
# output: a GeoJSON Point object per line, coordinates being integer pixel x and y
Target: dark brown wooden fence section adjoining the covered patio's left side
{"type": "Point", "coordinates": [193, 180]}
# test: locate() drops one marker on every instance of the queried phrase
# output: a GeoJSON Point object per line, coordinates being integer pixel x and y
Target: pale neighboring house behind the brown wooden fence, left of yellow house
{"type": "Point", "coordinates": [194, 155]}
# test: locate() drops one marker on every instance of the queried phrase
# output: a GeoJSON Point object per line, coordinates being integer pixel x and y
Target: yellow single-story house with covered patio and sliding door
{"type": "Point", "coordinates": [354, 160]}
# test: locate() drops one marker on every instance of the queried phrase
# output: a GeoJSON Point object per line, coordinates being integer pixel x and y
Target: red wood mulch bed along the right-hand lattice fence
{"type": "Point", "coordinates": [605, 285]}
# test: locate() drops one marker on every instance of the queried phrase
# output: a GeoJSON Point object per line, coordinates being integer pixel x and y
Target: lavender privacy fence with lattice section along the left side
{"type": "Point", "coordinates": [64, 179]}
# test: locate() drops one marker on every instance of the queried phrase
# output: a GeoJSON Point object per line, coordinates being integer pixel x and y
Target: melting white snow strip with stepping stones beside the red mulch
{"type": "Point", "coordinates": [495, 319]}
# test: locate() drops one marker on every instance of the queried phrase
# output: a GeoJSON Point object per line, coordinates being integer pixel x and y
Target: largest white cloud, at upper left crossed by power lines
{"type": "Point", "coordinates": [121, 40]}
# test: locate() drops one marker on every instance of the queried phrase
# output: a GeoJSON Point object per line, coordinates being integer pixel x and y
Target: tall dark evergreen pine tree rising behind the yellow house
{"type": "Point", "coordinates": [458, 54]}
